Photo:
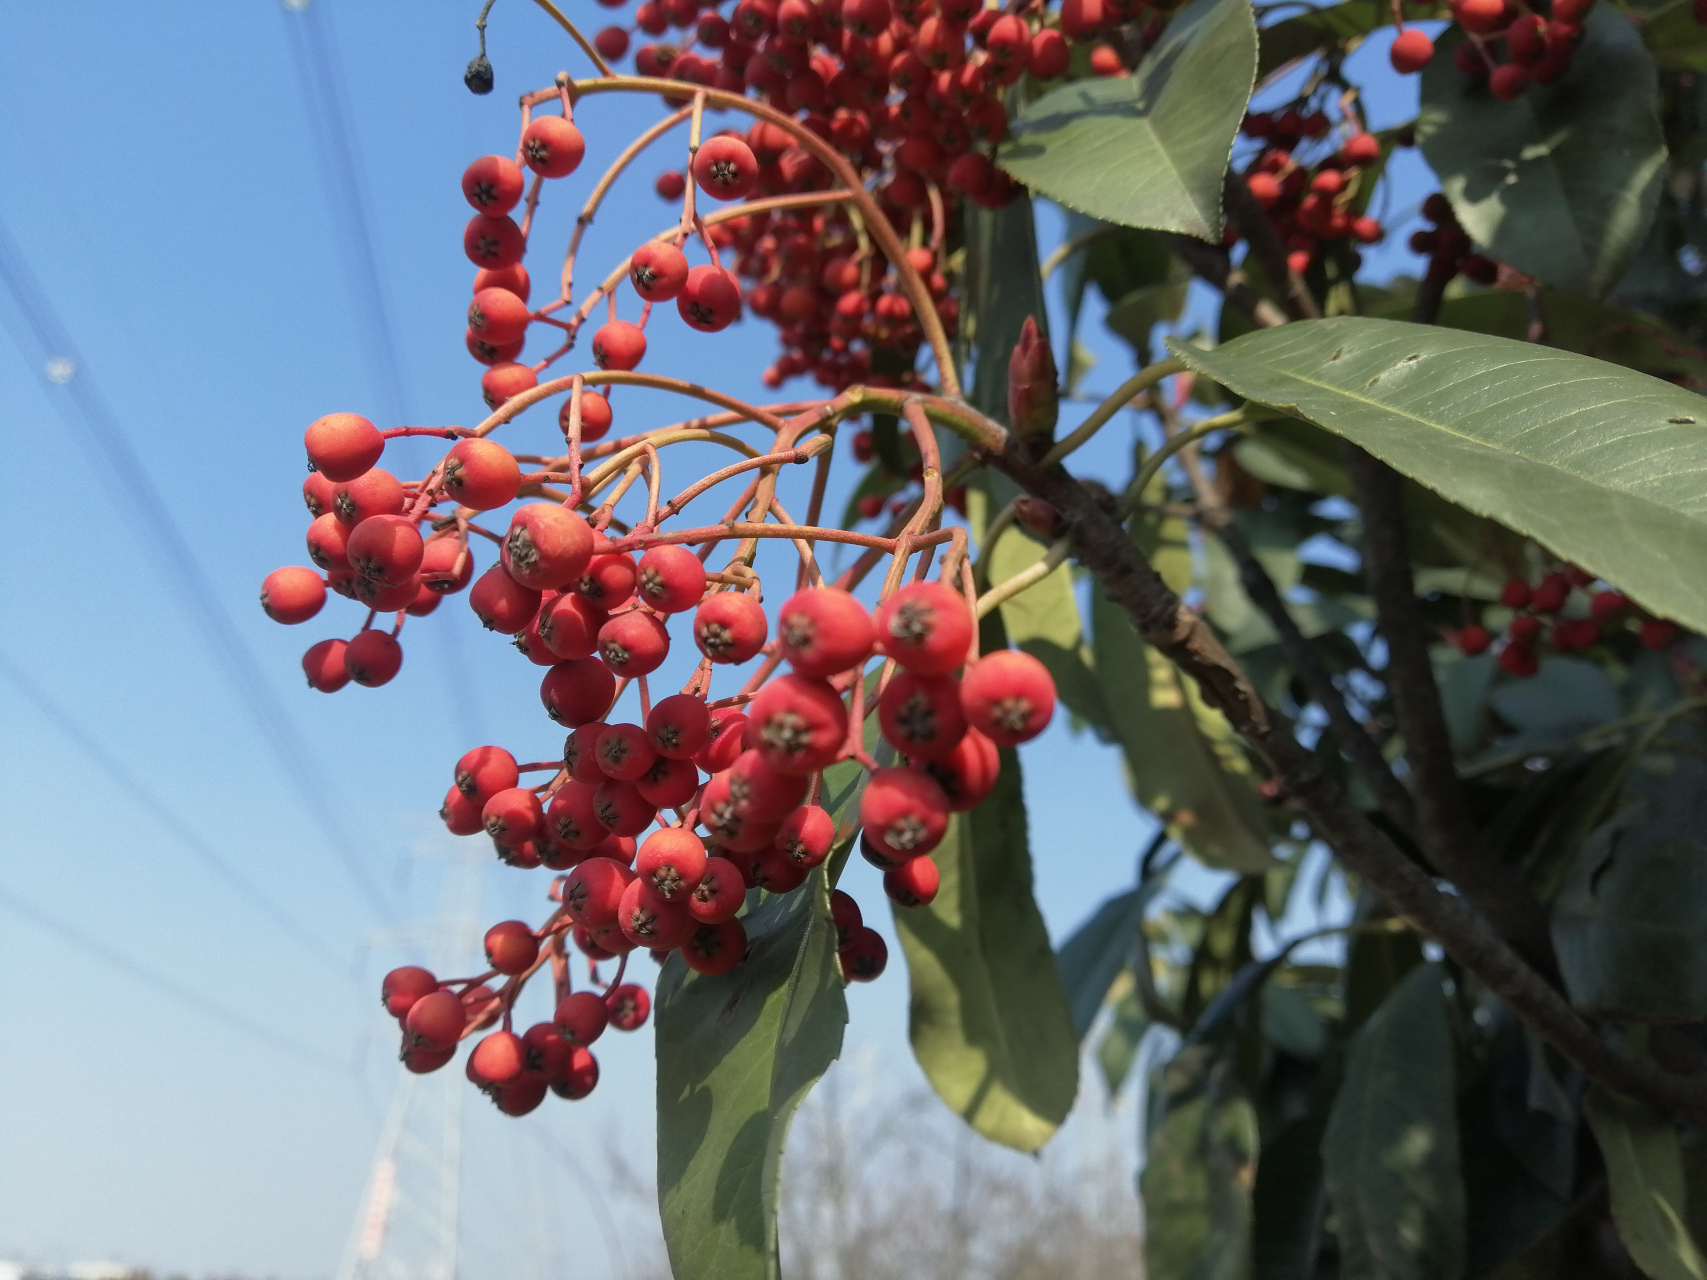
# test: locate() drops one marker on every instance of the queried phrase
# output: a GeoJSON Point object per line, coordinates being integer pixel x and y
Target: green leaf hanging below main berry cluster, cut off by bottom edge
{"type": "Point", "coordinates": [735, 1057]}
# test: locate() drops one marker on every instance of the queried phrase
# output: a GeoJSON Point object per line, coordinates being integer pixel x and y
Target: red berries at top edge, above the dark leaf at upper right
{"type": "Point", "coordinates": [1512, 44]}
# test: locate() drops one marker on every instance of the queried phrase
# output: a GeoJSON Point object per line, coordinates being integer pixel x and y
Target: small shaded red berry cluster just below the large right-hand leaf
{"type": "Point", "coordinates": [1541, 615]}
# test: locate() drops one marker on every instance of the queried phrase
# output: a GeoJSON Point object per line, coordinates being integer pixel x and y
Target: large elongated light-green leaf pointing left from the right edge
{"type": "Point", "coordinates": [1599, 463]}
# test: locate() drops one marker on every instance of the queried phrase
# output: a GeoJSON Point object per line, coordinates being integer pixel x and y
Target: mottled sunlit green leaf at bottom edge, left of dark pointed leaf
{"type": "Point", "coordinates": [1197, 1192]}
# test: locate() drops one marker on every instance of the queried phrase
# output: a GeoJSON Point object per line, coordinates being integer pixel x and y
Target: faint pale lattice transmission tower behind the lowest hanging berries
{"type": "Point", "coordinates": [407, 1225]}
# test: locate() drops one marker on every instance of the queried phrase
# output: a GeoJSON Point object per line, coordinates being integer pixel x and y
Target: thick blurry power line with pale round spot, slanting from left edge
{"type": "Point", "coordinates": [81, 405]}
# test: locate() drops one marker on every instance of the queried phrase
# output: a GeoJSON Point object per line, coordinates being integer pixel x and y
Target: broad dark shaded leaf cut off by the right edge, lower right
{"type": "Point", "coordinates": [1631, 921]}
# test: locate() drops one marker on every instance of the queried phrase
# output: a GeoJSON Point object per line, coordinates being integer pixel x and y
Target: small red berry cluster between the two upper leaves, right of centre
{"type": "Point", "coordinates": [1312, 204]}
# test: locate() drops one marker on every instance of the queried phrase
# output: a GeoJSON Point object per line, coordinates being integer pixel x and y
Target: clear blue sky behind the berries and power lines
{"type": "Point", "coordinates": [166, 192]}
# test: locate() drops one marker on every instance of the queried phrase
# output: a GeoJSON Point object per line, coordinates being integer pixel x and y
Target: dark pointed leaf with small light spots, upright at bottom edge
{"type": "Point", "coordinates": [1392, 1143]}
